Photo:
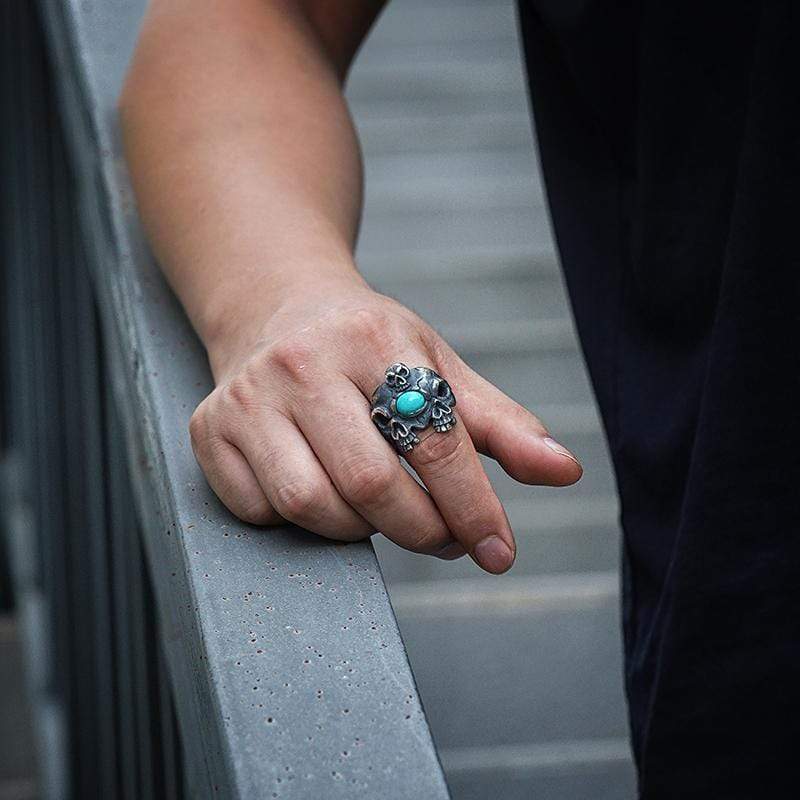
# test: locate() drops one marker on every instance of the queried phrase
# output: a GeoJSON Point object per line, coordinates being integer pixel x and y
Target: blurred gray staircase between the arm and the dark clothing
{"type": "Point", "coordinates": [520, 675]}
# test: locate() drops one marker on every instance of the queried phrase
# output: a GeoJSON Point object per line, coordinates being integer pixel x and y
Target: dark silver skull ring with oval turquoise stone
{"type": "Point", "coordinates": [409, 400]}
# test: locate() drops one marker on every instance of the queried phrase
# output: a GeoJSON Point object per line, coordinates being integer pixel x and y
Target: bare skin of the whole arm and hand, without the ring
{"type": "Point", "coordinates": [248, 176]}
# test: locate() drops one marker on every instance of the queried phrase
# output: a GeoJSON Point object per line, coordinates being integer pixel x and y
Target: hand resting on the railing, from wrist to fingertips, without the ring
{"type": "Point", "coordinates": [287, 435]}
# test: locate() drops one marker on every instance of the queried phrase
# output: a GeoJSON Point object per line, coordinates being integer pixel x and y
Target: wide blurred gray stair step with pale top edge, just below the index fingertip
{"type": "Point", "coordinates": [535, 660]}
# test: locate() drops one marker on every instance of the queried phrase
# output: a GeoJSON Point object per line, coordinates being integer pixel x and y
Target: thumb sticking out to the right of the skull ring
{"type": "Point", "coordinates": [506, 431]}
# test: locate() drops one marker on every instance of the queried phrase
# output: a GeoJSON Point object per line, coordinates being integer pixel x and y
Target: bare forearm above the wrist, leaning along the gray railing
{"type": "Point", "coordinates": [243, 158]}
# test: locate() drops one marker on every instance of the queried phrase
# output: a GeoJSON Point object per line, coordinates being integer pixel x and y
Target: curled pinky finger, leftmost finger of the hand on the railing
{"type": "Point", "coordinates": [233, 481]}
